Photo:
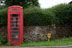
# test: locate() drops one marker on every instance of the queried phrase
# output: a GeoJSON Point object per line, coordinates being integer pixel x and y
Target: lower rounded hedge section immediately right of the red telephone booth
{"type": "Point", "coordinates": [37, 16]}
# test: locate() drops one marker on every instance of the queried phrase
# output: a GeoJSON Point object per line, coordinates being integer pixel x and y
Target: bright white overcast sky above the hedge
{"type": "Point", "coordinates": [50, 3]}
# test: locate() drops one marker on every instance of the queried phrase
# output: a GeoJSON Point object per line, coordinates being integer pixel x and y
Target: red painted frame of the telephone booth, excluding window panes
{"type": "Point", "coordinates": [20, 24]}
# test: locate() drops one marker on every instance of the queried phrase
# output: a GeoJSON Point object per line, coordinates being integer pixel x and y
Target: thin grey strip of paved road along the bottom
{"type": "Point", "coordinates": [38, 47]}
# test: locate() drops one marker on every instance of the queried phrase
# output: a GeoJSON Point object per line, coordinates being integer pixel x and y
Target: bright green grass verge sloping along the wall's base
{"type": "Point", "coordinates": [57, 42]}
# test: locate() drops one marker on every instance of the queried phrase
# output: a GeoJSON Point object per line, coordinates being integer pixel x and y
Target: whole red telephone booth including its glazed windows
{"type": "Point", "coordinates": [15, 25]}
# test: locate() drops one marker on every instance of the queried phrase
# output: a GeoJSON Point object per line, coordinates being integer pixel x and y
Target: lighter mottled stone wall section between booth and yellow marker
{"type": "Point", "coordinates": [35, 33]}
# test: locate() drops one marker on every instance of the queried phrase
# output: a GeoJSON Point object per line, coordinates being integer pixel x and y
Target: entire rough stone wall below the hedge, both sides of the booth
{"type": "Point", "coordinates": [39, 33]}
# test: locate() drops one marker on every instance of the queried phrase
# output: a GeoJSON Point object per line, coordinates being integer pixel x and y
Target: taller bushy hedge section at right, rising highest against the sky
{"type": "Point", "coordinates": [63, 13]}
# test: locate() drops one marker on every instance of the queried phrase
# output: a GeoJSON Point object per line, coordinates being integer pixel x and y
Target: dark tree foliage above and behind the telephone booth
{"type": "Point", "coordinates": [24, 3]}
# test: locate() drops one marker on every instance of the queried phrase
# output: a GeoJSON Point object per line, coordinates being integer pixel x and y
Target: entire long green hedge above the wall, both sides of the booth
{"type": "Point", "coordinates": [59, 14]}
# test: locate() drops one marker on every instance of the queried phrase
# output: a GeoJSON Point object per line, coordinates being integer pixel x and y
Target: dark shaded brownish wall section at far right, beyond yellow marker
{"type": "Point", "coordinates": [63, 30]}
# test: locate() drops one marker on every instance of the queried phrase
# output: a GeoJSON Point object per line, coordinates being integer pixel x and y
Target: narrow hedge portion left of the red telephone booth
{"type": "Point", "coordinates": [3, 16]}
